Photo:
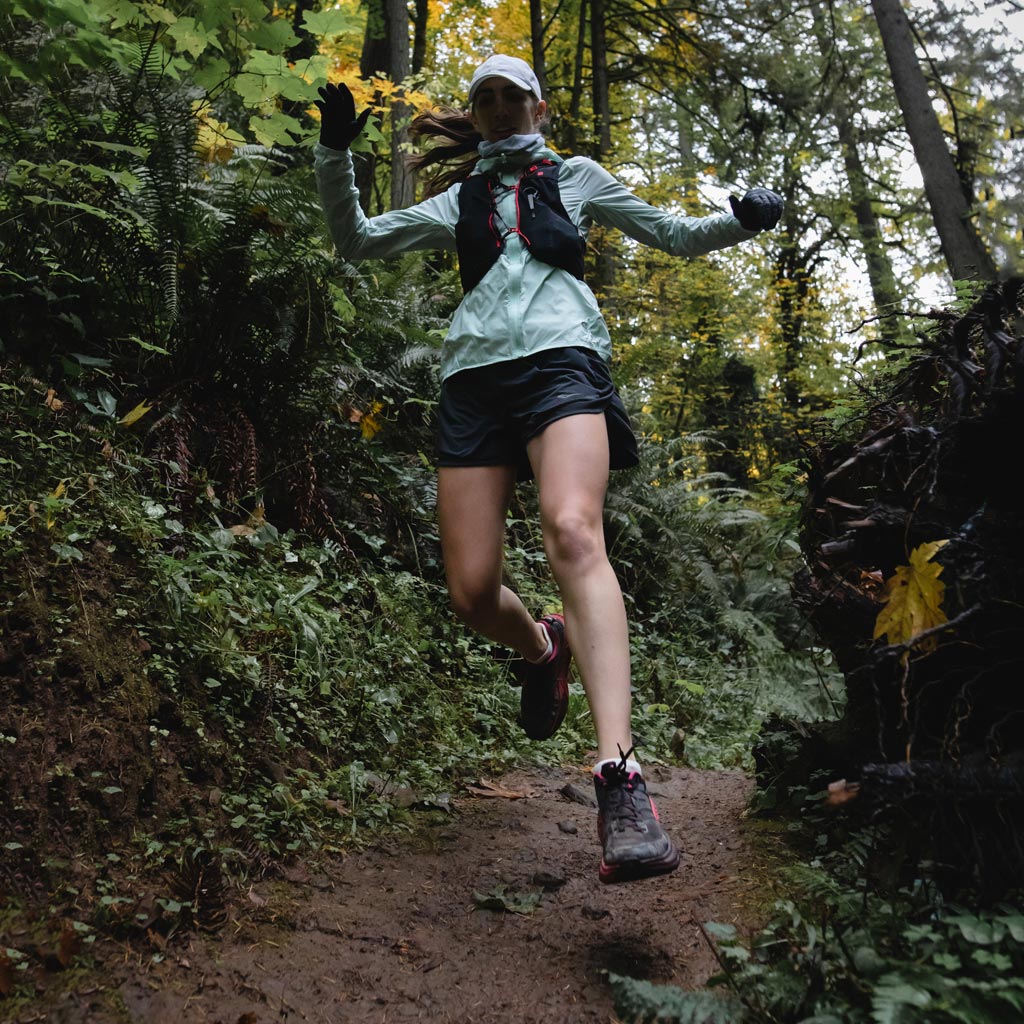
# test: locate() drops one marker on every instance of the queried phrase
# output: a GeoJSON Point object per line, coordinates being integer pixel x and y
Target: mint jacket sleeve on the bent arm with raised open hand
{"type": "Point", "coordinates": [430, 225]}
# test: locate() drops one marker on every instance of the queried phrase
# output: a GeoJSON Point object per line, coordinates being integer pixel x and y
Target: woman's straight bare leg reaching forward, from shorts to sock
{"type": "Point", "coordinates": [571, 461]}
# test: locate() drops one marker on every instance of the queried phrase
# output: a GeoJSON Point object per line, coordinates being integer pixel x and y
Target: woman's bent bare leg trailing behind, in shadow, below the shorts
{"type": "Point", "coordinates": [473, 504]}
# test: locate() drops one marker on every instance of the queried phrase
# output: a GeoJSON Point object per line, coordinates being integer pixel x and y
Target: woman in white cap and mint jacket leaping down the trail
{"type": "Point", "coordinates": [527, 394]}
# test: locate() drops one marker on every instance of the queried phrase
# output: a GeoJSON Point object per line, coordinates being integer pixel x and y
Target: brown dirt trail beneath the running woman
{"type": "Point", "coordinates": [398, 933]}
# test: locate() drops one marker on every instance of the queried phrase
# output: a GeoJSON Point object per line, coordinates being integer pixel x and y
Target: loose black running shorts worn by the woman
{"type": "Point", "coordinates": [488, 414]}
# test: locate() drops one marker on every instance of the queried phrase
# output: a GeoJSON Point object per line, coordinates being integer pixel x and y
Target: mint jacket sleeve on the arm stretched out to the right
{"type": "Point", "coordinates": [607, 201]}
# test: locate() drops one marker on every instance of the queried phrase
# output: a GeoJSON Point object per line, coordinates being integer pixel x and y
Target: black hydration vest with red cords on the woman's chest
{"type": "Point", "coordinates": [541, 222]}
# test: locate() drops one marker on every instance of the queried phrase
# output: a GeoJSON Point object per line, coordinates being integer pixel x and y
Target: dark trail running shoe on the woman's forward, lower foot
{"type": "Point", "coordinates": [633, 843]}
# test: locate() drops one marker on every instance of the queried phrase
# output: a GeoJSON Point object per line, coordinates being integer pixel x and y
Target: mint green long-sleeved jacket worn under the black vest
{"type": "Point", "coordinates": [523, 306]}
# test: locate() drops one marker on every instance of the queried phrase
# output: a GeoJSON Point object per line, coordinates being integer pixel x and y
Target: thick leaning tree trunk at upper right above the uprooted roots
{"type": "Point", "coordinates": [964, 252]}
